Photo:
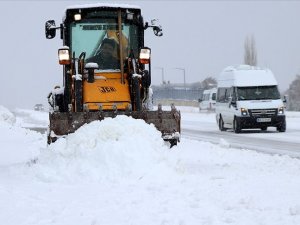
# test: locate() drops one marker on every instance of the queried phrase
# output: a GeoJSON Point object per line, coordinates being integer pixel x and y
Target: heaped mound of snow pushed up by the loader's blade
{"type": "Point", "coordinates": [111, 149]}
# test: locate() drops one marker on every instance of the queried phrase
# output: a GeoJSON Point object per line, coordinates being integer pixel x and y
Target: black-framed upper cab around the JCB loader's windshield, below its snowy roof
{"type": "Point", "coordinates": [86, 29]}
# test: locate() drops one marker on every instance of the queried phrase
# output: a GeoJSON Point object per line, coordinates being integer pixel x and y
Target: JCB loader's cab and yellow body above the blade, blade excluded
{"type": "Point", "coordinates": [109, 82]}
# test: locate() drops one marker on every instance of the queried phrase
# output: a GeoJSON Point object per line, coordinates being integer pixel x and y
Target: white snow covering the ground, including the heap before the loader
{"type": "Point", "coordinates": [119, 171]}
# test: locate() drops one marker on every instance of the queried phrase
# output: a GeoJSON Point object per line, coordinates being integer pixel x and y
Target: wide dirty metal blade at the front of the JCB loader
{"type": "Point", "coordinates": [167, 122]}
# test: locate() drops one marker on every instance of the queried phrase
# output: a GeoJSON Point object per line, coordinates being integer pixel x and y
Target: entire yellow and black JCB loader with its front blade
{"type": "Point", "coordinates": [106, 70]}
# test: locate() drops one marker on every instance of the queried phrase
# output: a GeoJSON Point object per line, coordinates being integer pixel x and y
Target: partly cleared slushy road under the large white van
{"type": "Point", "coordinates": [203, 127]}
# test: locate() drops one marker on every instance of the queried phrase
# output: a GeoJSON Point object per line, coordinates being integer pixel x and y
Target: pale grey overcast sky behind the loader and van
{"type": "Point", "coordinates": [202, 37]}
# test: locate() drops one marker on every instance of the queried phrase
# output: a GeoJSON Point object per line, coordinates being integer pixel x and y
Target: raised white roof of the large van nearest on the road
{"type": "Point", "coordinates": [245, 76]}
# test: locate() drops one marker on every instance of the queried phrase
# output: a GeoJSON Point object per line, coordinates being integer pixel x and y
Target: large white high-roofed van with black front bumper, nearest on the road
{"type": "Point", "coordinates": [248, 97]}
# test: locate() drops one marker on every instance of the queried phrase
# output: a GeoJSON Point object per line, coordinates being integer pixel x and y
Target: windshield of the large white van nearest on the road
{"type": "Point", "coordinates": [257, 93]}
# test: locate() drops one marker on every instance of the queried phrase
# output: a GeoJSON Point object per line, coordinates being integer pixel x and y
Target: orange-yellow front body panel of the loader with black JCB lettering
{"type": "Point", "coordinates": [107, 91]}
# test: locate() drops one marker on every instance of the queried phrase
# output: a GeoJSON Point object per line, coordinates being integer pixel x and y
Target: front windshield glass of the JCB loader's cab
{"type": "Point", "coordinates": [88, 36]}
